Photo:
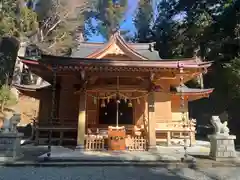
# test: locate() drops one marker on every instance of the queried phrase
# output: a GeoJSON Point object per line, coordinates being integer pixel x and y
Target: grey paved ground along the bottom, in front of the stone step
{"type": "Point", "coordinates": [117, 173]}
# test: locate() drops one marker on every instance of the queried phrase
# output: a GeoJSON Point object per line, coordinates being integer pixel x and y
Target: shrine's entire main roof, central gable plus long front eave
{"type": "Point", "coordinates": [129, 57]}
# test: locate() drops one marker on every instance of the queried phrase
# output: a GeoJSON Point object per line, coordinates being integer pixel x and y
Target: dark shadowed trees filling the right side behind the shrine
{"type": "Point", "coordinates": [209, 29]}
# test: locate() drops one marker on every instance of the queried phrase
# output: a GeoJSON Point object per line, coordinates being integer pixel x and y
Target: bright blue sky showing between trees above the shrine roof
{"type": "Point", "coordinates": [126, 25]}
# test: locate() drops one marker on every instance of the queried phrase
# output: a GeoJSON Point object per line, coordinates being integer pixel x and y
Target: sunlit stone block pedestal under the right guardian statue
{"type": "Point", "coordinates": [222, 147]}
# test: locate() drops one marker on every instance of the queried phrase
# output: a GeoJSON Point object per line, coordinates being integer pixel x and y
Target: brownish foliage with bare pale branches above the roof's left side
{"type": "Point", "coordinates": [59, 23]}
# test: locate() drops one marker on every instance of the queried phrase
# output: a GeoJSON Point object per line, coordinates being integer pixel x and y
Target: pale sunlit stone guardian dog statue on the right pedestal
{"type": "Point", "coordinates": [219, 127]}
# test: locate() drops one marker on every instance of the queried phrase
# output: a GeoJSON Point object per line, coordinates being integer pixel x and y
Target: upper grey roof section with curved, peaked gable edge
{"type": "Point", "coordinates": [143, 51]}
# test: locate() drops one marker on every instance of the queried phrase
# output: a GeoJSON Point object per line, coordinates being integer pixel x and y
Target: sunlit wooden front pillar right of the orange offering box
{"type": "Point", "coordinates": [151, 123]}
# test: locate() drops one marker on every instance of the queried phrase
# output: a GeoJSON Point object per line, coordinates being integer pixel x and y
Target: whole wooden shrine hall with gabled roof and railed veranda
{"type": "Point", "coordinates": [114, 95]}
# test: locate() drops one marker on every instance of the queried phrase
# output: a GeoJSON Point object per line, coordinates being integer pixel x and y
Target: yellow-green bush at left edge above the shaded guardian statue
{"type": "Point", "coordinates": [6, 97]}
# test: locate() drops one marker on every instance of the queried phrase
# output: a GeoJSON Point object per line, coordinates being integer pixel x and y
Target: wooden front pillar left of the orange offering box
{"type": "Point", "coordinates": [81, 121]}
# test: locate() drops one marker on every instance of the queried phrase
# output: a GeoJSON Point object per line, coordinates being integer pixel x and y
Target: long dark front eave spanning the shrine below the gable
{"type": "Point", "coordinates": [81, 63]}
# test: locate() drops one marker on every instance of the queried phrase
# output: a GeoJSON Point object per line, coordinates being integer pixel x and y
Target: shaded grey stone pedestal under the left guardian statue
{"type": "Point", "coordinates": [10, 147]}
